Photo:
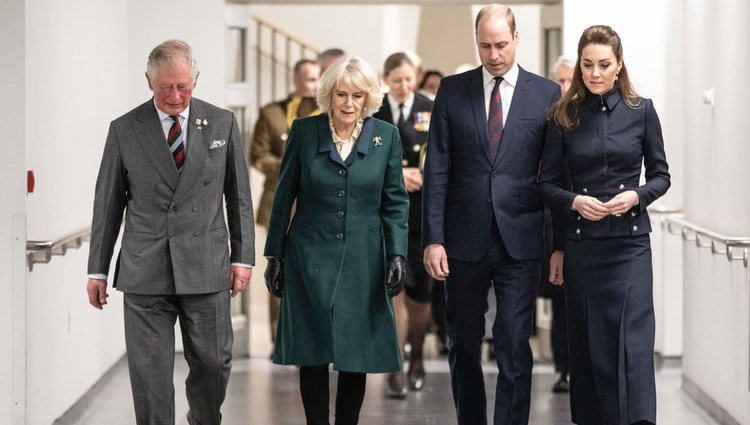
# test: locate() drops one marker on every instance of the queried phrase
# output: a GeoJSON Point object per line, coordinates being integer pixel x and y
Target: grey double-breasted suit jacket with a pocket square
{"type": "Point", "coordinates": [175, 239]}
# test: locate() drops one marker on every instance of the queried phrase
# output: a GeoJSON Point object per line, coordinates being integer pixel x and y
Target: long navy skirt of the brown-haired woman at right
{"type": "Point", "coordinates": [611, 325]}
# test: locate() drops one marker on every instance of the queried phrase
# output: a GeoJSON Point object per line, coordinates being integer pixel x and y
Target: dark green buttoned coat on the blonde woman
{"type": "Point", "coordinates": [346, 217]}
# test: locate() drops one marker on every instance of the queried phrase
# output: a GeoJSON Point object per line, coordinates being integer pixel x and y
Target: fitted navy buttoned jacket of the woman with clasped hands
{"type": "Point", "coordinates": [605, 156]}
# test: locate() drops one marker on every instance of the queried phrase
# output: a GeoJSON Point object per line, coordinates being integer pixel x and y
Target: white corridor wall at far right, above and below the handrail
{"type": "Point", "coordinates": [717, 312]}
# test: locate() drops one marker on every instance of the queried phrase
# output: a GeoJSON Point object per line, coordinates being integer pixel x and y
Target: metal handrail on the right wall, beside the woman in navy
{"type": "Point", "coordinates": [735, 248]}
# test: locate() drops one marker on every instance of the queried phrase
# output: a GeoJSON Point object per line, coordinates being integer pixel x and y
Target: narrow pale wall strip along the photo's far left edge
{"type": "Point", "coordinates": [12, 214]}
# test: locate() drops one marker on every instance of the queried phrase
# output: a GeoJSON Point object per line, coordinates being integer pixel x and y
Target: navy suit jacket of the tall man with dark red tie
{"type": "Point", "coordinates": [465, 191]}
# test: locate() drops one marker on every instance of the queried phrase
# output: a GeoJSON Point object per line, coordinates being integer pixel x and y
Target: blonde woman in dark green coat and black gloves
{"type": "Point", "coordinates": [337, 241]}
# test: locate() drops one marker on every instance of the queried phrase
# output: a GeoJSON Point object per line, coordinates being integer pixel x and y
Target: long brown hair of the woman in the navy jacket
{"type": "Point", "coordinates": [564, 112]}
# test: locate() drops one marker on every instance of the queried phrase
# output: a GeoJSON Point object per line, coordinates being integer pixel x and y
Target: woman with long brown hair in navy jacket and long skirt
{"type": "Point", "coordinates": [604, 133]}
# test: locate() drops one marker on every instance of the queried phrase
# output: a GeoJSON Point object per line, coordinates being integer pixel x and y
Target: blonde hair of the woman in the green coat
{"type": "Point", "coordinates": [353, 71]}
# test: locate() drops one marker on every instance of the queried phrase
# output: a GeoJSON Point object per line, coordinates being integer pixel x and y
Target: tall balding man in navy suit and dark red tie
{"type": "Point", "coordinates": [483, 215]}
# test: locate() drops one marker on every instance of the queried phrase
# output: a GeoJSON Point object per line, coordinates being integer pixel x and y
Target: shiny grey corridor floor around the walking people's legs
{"type": "Point", "coordinates": [262, 393]}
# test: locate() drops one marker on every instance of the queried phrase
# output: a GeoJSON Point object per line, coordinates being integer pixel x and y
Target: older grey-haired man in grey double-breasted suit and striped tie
{"type": "Point", "coordinates": [171, 165]}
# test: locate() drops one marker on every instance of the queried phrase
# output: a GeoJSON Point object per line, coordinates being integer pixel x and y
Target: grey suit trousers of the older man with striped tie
{"type": "Point", "coordinates": [206, 325]}
